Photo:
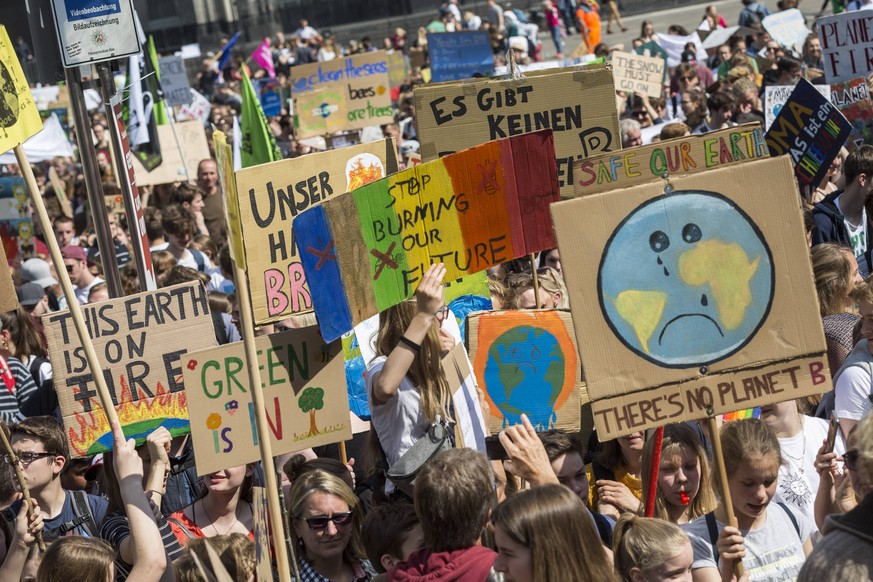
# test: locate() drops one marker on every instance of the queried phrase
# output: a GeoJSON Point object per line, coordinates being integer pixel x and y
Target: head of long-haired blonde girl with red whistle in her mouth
{"type": "Point", "coordinates": [684, 487]}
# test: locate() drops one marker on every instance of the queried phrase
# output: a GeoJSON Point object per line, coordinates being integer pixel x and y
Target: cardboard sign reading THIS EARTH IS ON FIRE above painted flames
{"type": "Point", "coordinates": [141, 340]}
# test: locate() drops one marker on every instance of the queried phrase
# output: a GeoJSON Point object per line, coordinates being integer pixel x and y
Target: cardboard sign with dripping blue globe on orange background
{"type": "Point", "coordinates": [527, 362]}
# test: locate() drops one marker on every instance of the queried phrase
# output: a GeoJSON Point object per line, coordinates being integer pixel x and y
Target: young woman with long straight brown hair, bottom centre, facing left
{"type": "Point", "coordinates": [544, 534]}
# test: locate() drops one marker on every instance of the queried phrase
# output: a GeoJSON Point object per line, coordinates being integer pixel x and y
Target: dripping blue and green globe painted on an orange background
{"type": "Point", "coordinates": [524, 374]}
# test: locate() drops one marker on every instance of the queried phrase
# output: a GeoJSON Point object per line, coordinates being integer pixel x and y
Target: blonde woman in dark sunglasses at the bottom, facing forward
{"type": "Point", "coordinates": [327, 519]}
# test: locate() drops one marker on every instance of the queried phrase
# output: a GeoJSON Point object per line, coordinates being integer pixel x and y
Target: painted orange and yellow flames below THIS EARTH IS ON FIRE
{"type": "Point", "coordinates": [89, 433]}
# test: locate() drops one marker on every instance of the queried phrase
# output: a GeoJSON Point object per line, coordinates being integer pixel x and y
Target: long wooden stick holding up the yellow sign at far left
{"type": "Point", "coordinates": [64, 279]}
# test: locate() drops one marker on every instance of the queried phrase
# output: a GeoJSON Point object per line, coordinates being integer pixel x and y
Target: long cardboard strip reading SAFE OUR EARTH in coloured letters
{"type": "Point", "coordinates": [683, 156]}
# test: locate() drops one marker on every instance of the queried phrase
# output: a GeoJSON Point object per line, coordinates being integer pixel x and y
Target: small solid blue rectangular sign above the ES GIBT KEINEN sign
{"type": "Point", "coordinates": [459, 55]}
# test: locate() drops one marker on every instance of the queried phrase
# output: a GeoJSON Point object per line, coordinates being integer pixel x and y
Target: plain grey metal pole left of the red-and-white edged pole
{"type": "Point", "coordinates": [93, 183]}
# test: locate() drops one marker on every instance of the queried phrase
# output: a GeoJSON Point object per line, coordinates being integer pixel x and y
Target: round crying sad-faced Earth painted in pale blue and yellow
{"type": "Point", "coordinates": [686, 279]}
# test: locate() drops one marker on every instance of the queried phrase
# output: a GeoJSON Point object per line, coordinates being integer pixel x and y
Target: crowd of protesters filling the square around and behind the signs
{"type": "Point", "coordinates": [549, 505]}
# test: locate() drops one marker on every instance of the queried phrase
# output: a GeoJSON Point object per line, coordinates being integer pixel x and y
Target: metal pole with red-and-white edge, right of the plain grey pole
{"type": "Point", "coordinates": [126, 179]}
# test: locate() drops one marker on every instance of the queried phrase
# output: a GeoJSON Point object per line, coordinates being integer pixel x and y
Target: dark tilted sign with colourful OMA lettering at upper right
{"type": "Point", "coordinates": [811, 130]}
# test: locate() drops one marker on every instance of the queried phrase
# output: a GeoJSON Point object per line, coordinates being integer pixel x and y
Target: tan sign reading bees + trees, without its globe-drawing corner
{"type": "Point", "coordinates": [364, 78]}
